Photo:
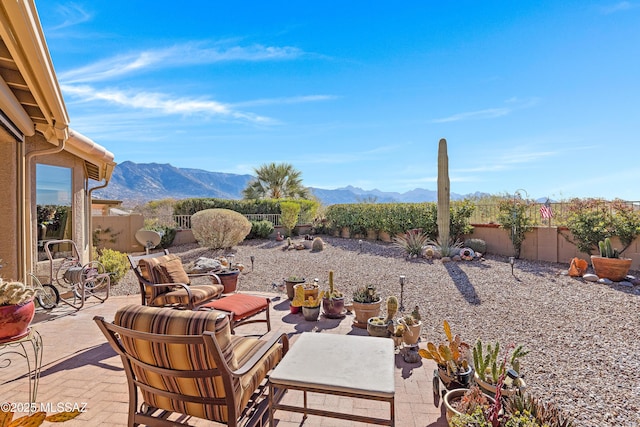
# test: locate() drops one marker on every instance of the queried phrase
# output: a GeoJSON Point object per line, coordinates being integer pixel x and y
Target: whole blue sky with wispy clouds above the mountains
{"type": "Point", "coordinates": [541, 96]}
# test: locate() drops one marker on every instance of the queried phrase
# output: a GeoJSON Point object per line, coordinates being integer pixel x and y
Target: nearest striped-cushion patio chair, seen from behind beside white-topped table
{"type": "Point", "coordinates": [188, 362]}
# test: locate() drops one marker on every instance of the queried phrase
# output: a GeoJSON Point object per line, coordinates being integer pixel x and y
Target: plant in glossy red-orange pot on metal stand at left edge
{"type": "Point", "coordinates": [16, 310]}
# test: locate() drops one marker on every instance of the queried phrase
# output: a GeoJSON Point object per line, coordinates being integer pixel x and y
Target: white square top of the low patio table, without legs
{"type": "Point", "coordinates": [348, 363]}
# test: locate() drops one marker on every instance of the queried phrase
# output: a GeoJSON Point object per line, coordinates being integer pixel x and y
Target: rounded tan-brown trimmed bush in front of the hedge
{"type": "Point", "coordinates": [219, 228]}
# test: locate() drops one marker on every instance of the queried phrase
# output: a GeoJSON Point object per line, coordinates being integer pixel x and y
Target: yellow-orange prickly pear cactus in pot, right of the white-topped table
{"type": "Point", "coordinates": [451, 357]}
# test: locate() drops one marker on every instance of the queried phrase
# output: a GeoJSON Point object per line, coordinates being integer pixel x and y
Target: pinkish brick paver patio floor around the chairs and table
{"type": "Point", "coordinates": [80, 368]}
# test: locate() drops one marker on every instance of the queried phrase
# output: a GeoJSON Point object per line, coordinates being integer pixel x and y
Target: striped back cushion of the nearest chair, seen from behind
{"type": "Point", "coordinates": [181, 359]}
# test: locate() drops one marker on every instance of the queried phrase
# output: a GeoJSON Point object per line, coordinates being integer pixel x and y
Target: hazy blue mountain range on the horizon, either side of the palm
{"type": "Point", "coordinates": [138, 183]}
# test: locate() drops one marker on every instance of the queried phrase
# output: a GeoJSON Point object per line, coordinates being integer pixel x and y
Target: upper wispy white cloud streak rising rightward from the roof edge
{"type": "Point", "coordinates": [174, 56]}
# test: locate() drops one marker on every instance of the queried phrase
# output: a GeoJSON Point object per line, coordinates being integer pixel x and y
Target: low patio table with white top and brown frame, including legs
{"type": "Point", "coordinates": [342, 365]}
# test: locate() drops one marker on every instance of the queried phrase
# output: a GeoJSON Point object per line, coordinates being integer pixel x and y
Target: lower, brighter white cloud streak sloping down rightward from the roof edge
{"type": "Point", "coordinates": [162, 103]}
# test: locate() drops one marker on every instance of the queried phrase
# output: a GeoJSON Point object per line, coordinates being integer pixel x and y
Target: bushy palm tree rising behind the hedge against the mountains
{"type": "Point", "coordinates": [276, 181]}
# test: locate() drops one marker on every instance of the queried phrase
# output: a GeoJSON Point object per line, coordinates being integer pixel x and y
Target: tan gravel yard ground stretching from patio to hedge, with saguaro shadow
{"type": "Point", "coordinates": [583, 337]}
